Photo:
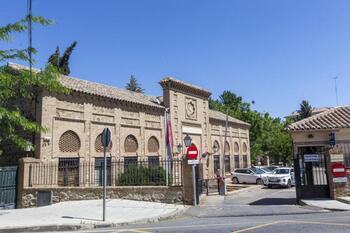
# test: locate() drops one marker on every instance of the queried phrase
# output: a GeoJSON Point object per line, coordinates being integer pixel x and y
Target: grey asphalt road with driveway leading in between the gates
{"type": "Point", "coordinates": [253, 210]}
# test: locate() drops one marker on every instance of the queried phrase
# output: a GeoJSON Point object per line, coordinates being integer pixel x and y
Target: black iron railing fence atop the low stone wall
{"type": "Point", "coordinates": [130, 171]}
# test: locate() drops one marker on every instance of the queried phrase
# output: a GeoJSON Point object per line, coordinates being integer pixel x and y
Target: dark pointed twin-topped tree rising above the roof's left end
{"type": "Point", "coordinates": [62, 63]}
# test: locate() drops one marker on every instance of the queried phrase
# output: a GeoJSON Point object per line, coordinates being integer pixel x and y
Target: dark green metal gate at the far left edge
{"type": "Point", "coordinates": [8, 185]}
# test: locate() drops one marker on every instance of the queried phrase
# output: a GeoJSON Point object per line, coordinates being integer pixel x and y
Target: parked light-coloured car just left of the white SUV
{"type": "Point", "coordinates": [247, 175]}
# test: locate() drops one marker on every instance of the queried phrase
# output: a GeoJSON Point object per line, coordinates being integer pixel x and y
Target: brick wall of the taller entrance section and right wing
{"type": "Point", "coordinates": [203, 130]}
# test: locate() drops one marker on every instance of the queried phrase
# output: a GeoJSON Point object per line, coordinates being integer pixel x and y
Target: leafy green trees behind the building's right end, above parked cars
{"type": "Point", "coordinates": [267, 134]}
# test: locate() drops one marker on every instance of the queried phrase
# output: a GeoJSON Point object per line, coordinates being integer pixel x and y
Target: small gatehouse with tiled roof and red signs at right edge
{"type": "Point", "coordinates": [321, 145]}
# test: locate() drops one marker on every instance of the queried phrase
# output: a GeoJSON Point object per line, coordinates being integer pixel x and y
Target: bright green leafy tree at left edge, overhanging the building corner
{"type": "Point", "coordinates": [19, 88]}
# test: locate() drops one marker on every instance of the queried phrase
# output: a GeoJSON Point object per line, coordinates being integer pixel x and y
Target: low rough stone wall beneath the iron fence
{"type": "Point", "coordinates": [28, 196]}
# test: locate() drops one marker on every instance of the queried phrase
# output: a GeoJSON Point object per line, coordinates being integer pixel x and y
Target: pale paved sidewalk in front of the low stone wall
{"type": "Point", "coordinates": [74, 215]}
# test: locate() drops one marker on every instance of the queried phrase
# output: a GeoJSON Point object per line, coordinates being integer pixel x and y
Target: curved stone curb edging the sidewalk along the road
{"type": "Point", "coordinates": [91, 226]}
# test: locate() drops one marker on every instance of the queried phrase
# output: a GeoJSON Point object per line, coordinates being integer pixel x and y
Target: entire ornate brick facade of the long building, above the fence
{"type": "Point", "coordinates": [74, 123]}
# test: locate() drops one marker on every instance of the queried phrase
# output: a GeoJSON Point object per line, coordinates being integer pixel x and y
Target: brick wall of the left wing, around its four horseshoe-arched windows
{"type": "Point", "coordinates": [87, 116]}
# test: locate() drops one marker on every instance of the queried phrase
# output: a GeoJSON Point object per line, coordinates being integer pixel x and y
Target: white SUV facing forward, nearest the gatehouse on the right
{"type": "Point", "coordinates": [282, 176]}
